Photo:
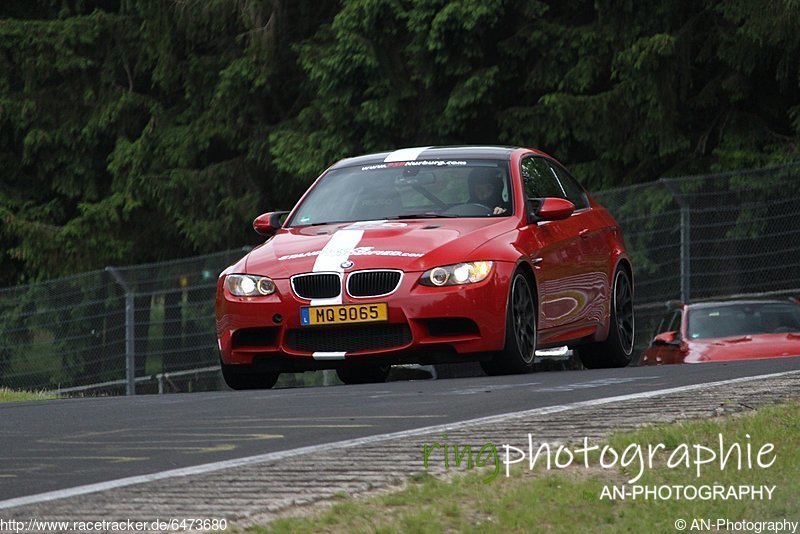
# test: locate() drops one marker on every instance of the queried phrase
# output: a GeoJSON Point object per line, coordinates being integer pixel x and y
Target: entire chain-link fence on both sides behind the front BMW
{"type": "Point", "coordinates": [690, 238]}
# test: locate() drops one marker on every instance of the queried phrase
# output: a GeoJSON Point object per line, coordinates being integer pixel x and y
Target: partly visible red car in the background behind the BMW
{"type": "Point", "coordinates": [724, 331]}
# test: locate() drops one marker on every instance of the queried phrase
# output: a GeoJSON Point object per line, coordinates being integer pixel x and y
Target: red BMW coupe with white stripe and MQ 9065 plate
{"type": "Point", "coordinates": [428, 255]}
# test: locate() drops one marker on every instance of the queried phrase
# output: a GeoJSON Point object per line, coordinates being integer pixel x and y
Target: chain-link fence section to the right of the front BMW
{"type": "Point", "coordinates": [705, 237]}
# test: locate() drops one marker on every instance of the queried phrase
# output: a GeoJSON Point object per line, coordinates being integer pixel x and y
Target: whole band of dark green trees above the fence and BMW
{"type": "Point", "coordinates": [140, 131]}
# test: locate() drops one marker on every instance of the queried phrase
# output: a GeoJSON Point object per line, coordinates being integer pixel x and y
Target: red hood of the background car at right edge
{"type": "Point", "coordinates": [744, 347]}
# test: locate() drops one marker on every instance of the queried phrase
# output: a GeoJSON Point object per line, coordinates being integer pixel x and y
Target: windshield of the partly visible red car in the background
{"type": "Point", "coordinates": [743, 319]}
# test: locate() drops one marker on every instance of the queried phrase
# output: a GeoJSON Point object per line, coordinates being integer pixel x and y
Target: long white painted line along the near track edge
{"type": "Point", "coordinates": [281, 455]}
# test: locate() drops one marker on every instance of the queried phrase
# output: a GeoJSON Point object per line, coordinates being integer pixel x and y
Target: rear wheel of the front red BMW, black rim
{"type": "Point", "coordinates": [617, 349]}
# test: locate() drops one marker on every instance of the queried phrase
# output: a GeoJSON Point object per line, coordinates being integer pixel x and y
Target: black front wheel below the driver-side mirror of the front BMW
{"type": "Point", "coordinates": [520, 346]}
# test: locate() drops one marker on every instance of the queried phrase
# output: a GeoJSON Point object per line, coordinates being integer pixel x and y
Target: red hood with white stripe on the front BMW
{"type": "Point", "coordinates": [406, 245]}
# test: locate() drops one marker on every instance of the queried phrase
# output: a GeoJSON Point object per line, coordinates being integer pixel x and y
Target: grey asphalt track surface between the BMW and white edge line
{"type": "Point", "coordinates": [53, 445]}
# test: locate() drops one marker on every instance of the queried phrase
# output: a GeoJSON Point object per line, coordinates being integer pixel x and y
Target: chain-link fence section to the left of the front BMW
{"type": "Point", "coordinates": [150, 324]}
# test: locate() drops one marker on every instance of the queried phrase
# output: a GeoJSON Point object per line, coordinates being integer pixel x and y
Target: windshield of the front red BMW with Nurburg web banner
{"type": "Point", "coordinates": [409, 189]}
